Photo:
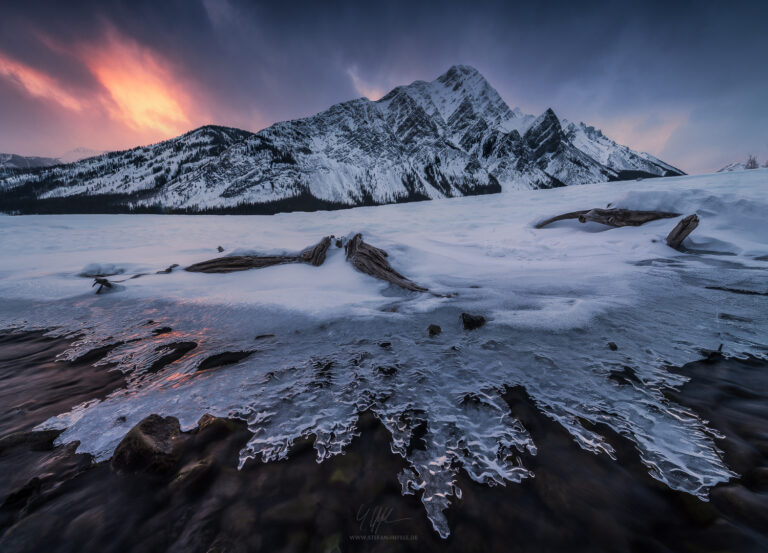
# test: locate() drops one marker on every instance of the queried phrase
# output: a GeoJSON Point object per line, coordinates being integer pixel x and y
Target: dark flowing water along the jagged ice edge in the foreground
{"type": "Point", "coordinates": [56, 500]}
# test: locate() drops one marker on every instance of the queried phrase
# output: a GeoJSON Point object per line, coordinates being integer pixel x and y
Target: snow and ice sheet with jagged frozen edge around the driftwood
{"type": "Point", "coordinates": [554, 299]}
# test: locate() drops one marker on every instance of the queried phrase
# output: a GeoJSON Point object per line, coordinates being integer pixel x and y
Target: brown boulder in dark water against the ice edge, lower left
{"type": "Point", "coordinates": [150, 446]}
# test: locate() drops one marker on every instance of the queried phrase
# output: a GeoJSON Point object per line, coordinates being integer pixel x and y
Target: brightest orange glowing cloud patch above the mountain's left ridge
{"type": "Point", "coordinates": [142, 91]}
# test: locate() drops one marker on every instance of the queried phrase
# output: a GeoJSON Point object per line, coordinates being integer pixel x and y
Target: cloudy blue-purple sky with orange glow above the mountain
{"type": "Point", "coordinates": [685, 81]}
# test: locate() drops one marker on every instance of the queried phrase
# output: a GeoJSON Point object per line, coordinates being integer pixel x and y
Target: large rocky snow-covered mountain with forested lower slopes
{"type": "Point", "coordinates": [453, 136]}
